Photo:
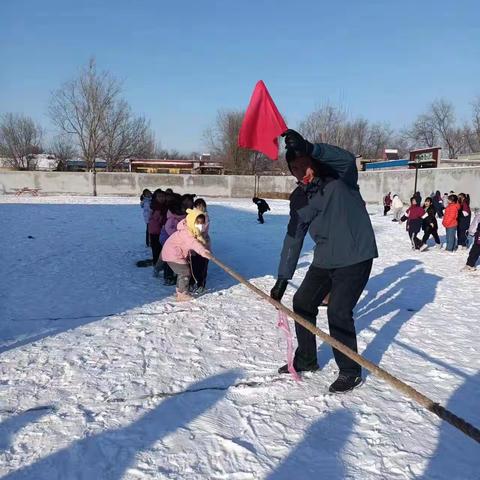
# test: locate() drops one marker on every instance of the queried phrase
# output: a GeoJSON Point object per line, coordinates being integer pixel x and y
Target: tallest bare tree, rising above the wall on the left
{"type": "Point", "coordinates": [80, 108]}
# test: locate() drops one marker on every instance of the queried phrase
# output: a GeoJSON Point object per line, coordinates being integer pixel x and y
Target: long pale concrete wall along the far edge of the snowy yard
{"type": "Point", "coordinates": [373, 185]}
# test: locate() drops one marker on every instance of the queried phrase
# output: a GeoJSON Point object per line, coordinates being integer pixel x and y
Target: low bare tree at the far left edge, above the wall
{"type": "Point", "coordinates": [20, 140]}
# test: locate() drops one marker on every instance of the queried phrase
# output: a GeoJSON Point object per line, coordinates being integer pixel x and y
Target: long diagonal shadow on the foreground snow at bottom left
{"type": "Point", "coordinates": [110, 453]}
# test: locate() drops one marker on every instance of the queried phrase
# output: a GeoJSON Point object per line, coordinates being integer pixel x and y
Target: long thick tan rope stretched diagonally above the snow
{"type": "Point", "coordinates": [441, 412]}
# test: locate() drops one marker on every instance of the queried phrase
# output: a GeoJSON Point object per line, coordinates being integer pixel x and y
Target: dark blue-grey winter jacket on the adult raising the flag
{"type": "Point", "coordinates": [333, 211]}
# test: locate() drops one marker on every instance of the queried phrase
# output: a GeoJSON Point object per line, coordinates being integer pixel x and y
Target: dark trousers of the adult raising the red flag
{"type": "Point", "coordinates": [345, 286]}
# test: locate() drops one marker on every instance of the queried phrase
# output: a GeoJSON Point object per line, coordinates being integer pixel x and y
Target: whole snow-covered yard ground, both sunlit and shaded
{"type": "Point", "coordinates": [103, 376]}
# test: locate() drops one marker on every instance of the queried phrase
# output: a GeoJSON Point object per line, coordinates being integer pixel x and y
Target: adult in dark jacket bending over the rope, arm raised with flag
{"type": "Point", "coordinates": [327, 203]}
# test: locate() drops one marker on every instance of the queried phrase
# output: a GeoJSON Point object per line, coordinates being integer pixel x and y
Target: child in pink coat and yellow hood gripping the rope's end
{"type": "Point", "coordinates": [176, 250]}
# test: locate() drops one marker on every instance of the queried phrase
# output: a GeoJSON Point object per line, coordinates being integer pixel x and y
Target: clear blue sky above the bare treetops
{"type": "Point", "coordinates": [181, 61]}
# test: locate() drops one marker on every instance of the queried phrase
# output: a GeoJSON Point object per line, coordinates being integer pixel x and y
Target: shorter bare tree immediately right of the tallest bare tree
{"type": "Point", "coordinates": [125, 136]}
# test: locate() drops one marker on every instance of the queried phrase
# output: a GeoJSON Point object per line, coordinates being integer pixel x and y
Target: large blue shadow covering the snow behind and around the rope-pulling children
{"type": "Point", "coordinates": [80, 265]}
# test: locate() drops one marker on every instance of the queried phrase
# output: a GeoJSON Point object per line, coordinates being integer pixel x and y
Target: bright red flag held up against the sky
{"type": "Point", "coordinates": [262, 124]}
